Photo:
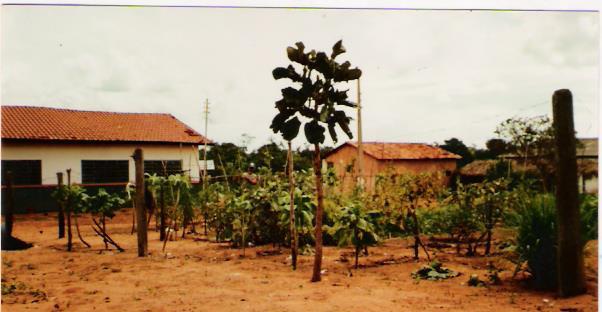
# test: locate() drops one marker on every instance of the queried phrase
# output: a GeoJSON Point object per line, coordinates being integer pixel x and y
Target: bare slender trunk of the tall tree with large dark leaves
{"type": "Point", "coordinates": [319, 212]}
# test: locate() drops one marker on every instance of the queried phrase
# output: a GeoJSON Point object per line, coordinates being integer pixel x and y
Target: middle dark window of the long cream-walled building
{"type": "Point", "coordinates": [105, 171]}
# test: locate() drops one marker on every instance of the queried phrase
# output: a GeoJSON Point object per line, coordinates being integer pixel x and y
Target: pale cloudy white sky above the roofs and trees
{"type": "Point", "coordinates": [427, 75]}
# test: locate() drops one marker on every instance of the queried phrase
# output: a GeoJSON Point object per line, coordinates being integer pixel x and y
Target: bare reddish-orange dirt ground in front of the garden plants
{"type": "Point", "coordinates": [197, 275]}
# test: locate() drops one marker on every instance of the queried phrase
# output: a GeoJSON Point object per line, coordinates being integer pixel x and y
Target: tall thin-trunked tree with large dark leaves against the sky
{"type": "Point", "coordinates": [316, 99]}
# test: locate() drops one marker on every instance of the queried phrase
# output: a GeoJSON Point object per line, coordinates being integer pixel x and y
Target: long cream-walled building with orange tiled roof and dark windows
{"type": "Point", "coordinates": [38, 142]}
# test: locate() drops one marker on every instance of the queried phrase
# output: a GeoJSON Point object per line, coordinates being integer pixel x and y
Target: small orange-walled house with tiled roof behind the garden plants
{"type": "Point", "coordinates": [402, 158]}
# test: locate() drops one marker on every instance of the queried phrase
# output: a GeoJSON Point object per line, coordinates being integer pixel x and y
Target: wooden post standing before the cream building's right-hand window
{"type": "Point", "coordinates": [140, 206]}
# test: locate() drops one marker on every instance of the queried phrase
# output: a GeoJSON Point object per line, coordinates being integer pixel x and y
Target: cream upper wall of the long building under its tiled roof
{"type": "Point", "coordinates": [59, 157]}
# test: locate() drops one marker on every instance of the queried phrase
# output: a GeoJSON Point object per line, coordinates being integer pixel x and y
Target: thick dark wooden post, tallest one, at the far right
{"type": "Point", "coordinates": [571, 280]}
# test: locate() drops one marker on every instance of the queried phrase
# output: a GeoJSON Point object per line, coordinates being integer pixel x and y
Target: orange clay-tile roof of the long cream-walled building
{"type": "Point", "coordinates": [45, 123]}
